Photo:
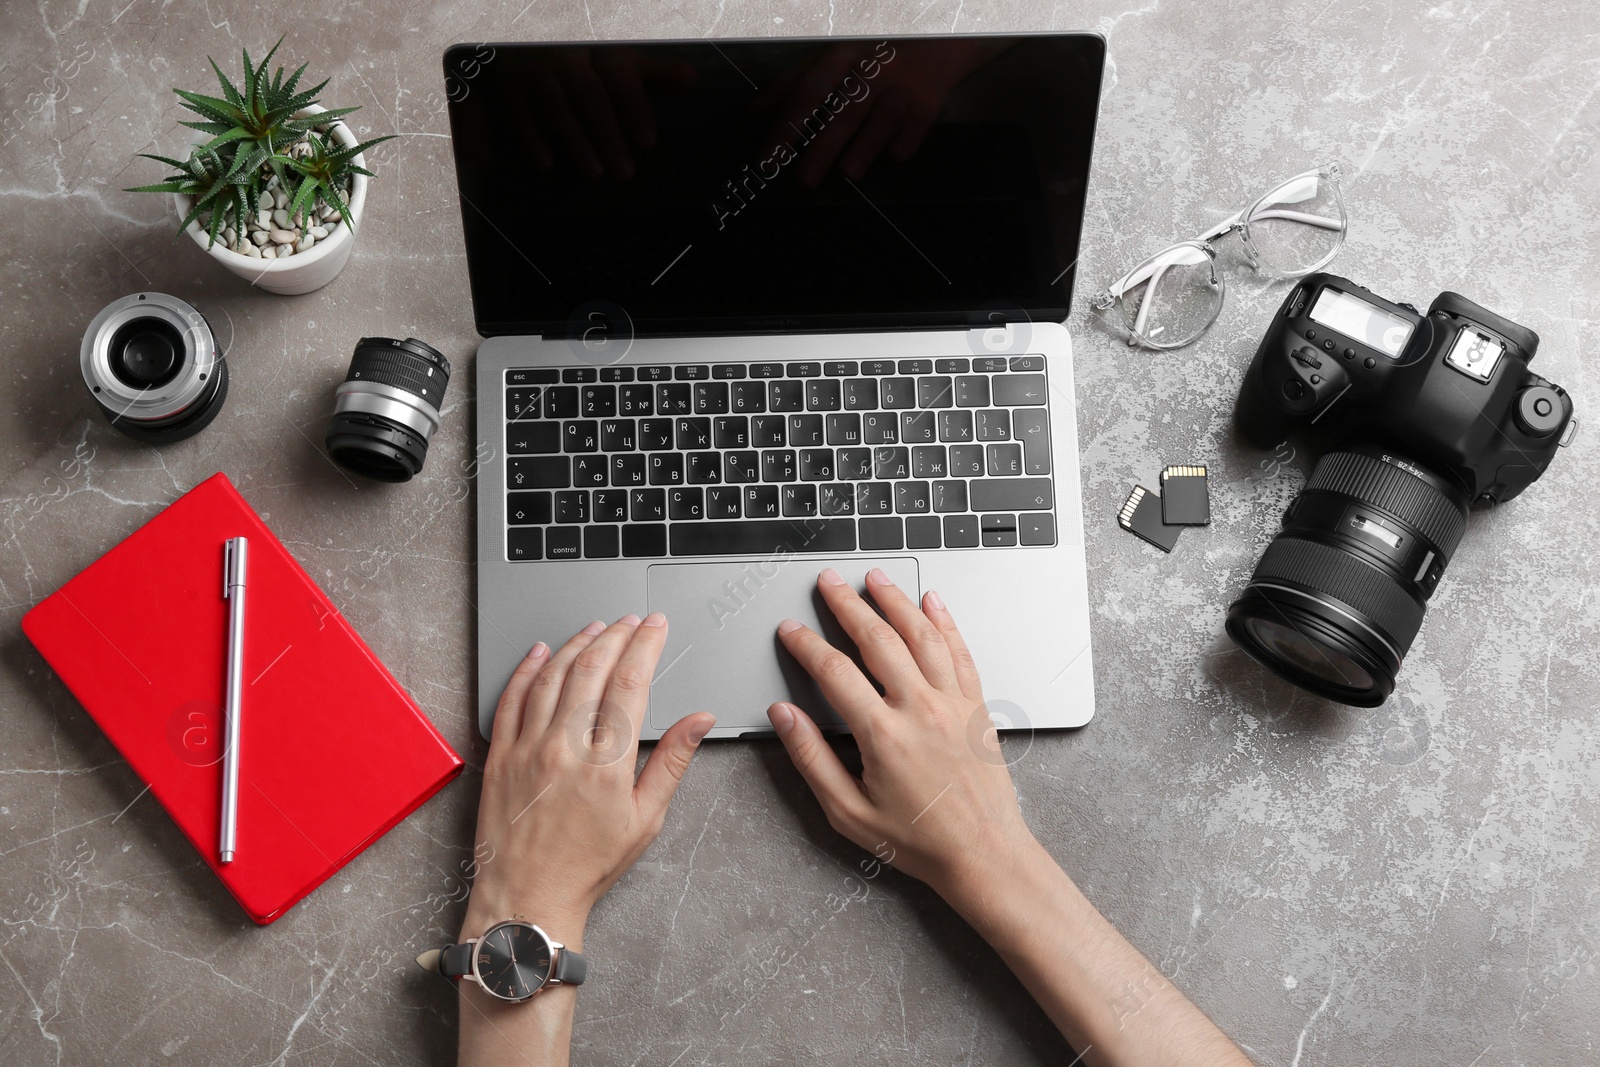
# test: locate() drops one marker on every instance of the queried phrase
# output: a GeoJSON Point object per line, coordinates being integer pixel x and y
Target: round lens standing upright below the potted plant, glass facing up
{"type": "Point", "coordinates": [151, 364]}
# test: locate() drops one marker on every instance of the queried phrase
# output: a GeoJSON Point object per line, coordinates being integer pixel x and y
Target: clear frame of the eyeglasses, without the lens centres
{"type": "Point", "coordinates": [1138, 292]}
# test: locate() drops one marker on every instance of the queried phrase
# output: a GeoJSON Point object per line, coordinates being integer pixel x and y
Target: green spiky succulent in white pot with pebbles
{"type": "Point", "coordinates": [278, 186]}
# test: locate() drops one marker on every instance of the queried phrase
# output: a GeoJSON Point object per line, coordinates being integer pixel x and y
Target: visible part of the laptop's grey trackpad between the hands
{"type": "Point", "coordinates": [722, 649]}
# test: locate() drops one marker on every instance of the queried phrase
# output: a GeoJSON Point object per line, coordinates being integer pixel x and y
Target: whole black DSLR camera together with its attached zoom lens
{"type": "Point", "coordinates": [1431, 417]}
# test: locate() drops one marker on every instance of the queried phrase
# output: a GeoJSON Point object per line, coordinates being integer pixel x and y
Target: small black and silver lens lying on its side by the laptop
{"type": "Point", "coordinates": [388, 409]}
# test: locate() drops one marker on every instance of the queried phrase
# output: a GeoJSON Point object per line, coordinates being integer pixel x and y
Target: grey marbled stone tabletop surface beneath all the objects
{"type": "Point", "coordinates": [1409, 885]}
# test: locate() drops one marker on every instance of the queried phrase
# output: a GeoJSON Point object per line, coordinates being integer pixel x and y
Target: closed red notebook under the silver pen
{"type": "Point", "coordinates": [334, 753]}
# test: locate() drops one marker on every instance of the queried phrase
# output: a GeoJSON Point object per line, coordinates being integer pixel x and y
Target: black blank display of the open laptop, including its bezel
{"type": "Point", "coordinates": [774, 185]}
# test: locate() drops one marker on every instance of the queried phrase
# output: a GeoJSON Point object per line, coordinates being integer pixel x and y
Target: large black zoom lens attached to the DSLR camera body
{"type": "Point", "coordinates": [1340, 594]}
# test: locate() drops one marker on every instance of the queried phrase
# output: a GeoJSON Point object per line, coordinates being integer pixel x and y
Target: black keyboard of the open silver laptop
{"type": "Point", "coordinates": [766, 458]}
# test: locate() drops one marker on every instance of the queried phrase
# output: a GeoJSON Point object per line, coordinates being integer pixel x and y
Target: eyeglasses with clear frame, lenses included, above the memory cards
{"type": "Point", "coordinates": [1175, 295]}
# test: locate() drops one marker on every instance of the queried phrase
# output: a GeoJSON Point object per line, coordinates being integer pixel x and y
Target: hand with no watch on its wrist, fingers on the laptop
{"type": "Point", "coordinates": [935, 797]}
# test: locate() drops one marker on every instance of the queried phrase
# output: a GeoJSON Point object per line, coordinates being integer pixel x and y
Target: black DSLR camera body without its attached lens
{"type": "Point", "coordinates": [1450, 390]}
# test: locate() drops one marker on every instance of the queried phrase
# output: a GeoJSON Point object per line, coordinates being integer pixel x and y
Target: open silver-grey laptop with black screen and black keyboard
{"type": "Point", "coordinates": [756, 308]}
